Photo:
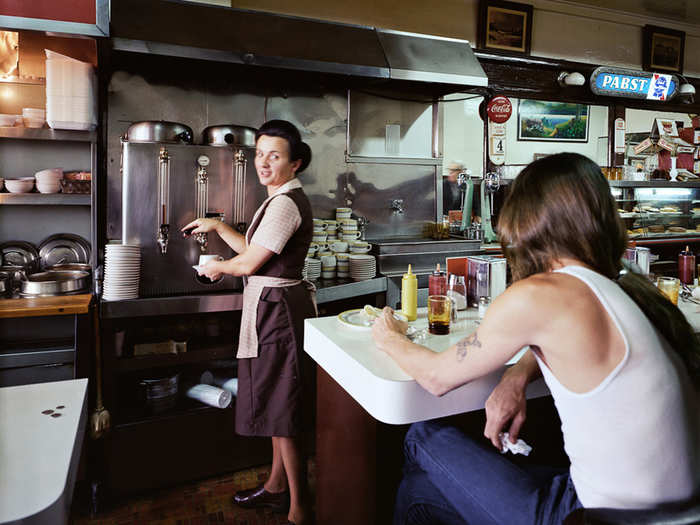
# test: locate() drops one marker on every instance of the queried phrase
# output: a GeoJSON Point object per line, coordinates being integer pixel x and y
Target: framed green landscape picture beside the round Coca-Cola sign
{"type": "Point", "coordinates": [552, 121]}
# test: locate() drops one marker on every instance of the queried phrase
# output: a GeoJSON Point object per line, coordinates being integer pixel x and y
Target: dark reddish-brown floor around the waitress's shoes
{"type": "Point", "coordinates": [208, 501]}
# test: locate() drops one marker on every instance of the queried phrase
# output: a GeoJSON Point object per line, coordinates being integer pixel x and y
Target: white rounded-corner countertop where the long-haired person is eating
{"type": "Point", "coordinates": [377, 383]}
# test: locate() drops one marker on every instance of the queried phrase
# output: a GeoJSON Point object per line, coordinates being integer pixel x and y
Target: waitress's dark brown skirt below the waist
{"type": "Point", "coordinates": [270, 386]}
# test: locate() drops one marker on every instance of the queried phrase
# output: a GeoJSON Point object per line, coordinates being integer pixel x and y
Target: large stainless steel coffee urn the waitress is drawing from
{"type": "Point", "coordinates": [166, 183]}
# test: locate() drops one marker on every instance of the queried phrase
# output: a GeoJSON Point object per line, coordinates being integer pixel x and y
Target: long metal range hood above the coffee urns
{"type": "Point", "coordinates": [222, 34]}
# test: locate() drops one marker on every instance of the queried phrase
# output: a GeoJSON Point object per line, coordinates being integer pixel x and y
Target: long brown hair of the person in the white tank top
{"type": "Point", "coordinates": [561, 206]}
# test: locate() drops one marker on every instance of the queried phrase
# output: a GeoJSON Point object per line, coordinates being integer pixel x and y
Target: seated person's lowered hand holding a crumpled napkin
{"type": "Point", "coordinates": [507, 403]}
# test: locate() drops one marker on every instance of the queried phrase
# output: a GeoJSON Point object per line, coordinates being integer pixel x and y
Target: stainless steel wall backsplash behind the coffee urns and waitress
{"type": "Point", "coordinates": [321, 115]}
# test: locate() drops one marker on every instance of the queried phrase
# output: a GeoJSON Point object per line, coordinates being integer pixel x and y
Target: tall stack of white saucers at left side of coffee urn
{"type": "Point", "coordinates": [122, 271]}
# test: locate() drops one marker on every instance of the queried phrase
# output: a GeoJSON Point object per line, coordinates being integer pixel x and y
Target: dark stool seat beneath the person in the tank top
{"type": "Point", "coordinates": [683, 513]}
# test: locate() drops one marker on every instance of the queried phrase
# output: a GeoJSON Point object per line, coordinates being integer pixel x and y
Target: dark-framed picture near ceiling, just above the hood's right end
{"type": "Point", "coordinates": [506, 26]}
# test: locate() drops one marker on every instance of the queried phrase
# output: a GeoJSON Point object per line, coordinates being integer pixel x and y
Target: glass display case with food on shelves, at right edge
{"type": "Point", "coordinates": [659, 209]}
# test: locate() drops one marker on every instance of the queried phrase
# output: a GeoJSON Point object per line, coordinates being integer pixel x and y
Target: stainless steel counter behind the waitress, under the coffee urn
{"type": "Point", "coordinates": [327, 291]}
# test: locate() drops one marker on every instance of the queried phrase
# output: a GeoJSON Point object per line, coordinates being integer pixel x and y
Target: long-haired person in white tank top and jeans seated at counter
{"type": "Point", "coordinates": [620, 361]}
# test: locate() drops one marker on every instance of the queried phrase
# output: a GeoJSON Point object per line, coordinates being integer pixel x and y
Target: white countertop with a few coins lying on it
{"type": "Point", "coordinates": [39, 453]}
